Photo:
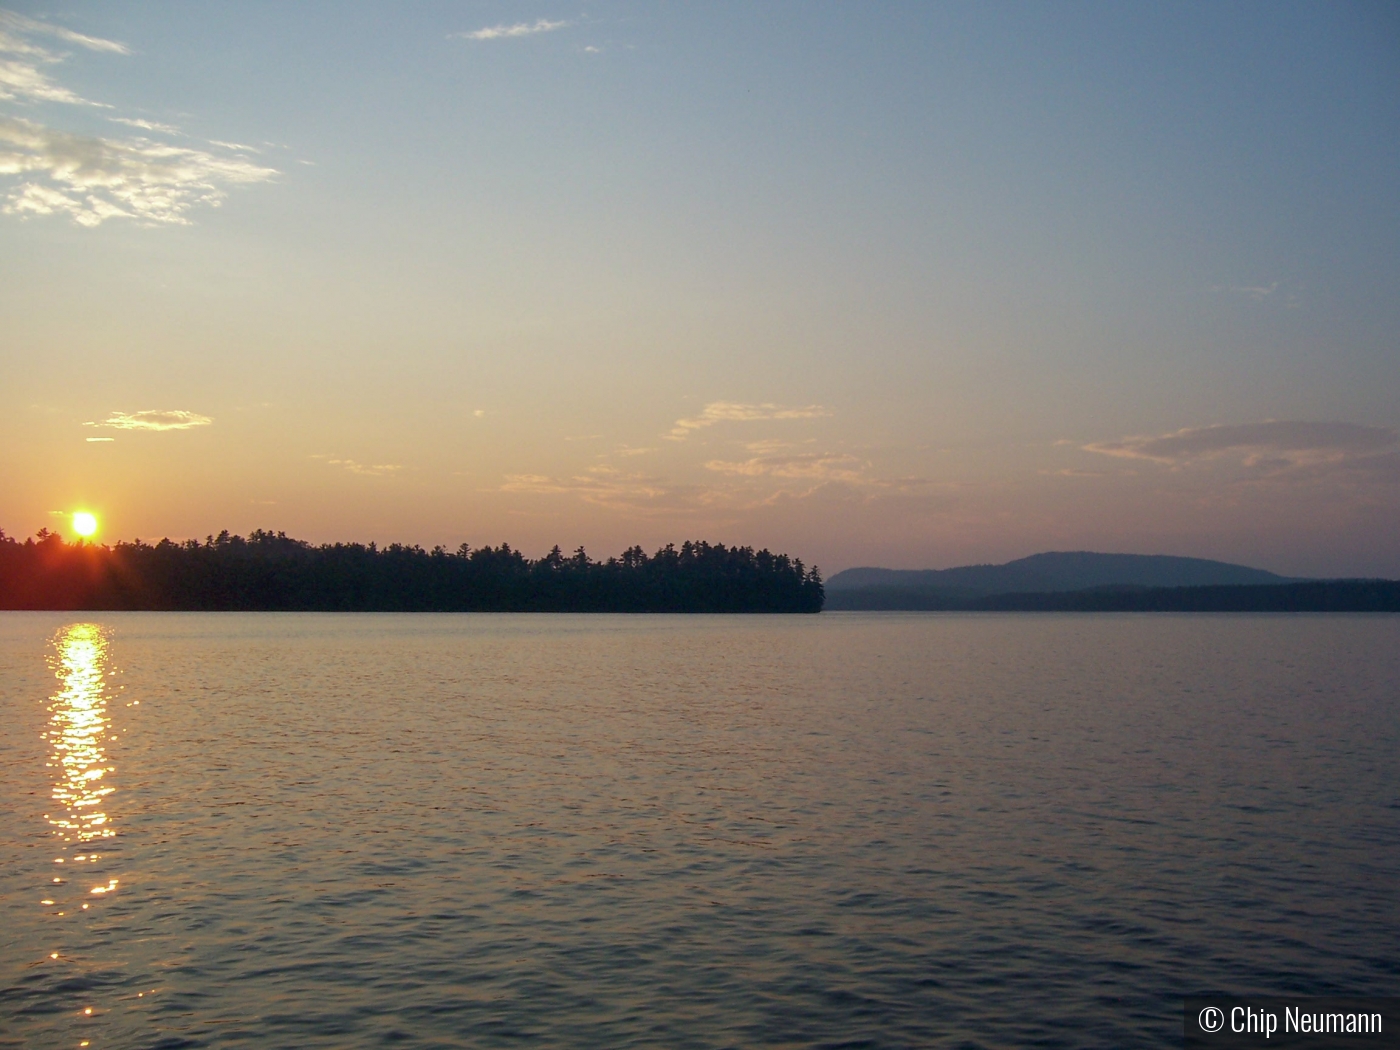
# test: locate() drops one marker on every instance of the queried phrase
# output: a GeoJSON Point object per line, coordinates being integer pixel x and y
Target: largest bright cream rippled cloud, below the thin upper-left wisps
{"type": "Point", "coordinates": [94, 180]}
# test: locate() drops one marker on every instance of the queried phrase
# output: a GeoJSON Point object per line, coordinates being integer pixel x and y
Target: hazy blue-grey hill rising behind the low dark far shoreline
{"type": "Point", "coordinates": [1049, 573]}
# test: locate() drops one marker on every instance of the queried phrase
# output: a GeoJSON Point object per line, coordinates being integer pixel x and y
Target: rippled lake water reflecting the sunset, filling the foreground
{"type": "Point", "coordinates": [842, 831]}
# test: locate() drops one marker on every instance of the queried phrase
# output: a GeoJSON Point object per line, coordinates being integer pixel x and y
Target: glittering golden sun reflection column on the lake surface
{"type": "Point", "coordinates": [79, 729]}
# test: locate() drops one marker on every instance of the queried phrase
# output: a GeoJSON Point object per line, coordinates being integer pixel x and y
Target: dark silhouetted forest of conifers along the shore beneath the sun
{"type": "Point", "coordinates": [272, 572]}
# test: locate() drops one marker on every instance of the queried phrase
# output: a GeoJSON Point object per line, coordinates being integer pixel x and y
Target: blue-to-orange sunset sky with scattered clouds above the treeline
{"type": "Point", "coordinates": [874, 285]}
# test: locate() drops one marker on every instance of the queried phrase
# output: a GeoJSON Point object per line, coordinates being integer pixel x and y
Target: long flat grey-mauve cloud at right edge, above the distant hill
{"type": "Point", "coordinates": [1270, 444]}
